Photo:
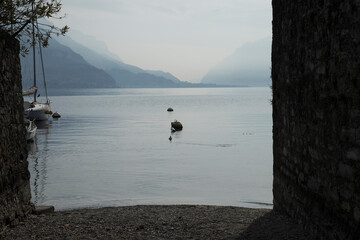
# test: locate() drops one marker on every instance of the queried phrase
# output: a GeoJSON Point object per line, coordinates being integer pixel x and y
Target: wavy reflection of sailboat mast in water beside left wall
{"type": "Point", "coordinates": [37, 158]}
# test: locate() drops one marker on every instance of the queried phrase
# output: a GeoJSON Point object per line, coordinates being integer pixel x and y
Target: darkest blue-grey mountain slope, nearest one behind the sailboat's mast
{"type": "Point", "coordinates": [64, 69]}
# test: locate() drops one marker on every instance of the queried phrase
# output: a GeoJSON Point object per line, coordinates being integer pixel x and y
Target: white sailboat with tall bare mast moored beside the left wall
{"type": "Point", "coordinates": [36, 110]}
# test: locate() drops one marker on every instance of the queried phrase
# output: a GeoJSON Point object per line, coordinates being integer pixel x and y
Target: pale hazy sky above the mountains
{"type": "Point", "coordinates": [183, 37]}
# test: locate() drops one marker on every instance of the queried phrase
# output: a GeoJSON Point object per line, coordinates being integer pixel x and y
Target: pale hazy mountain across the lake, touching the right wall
{"type": "Point", "coordinates": [247, 66]}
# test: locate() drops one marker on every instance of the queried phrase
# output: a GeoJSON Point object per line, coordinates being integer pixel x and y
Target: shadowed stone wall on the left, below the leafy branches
{"type": "Point", "coordinates": [15, 191]}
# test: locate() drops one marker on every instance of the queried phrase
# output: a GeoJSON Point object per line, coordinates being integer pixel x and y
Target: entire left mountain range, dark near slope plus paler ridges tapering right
{"type": "Point", "coordinates": [69, 64]}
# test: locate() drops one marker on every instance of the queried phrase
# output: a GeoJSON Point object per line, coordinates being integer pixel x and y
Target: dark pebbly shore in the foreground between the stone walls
{"type": "Point", "coordinates": [159, 222]}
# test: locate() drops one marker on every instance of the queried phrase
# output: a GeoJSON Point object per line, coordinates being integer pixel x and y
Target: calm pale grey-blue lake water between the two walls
{"type": "Point", "coordinates": [111, 148]}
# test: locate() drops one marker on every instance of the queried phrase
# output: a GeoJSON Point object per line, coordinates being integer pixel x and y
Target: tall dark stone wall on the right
{"type": "Point", "coordinates": [316, 114]}
